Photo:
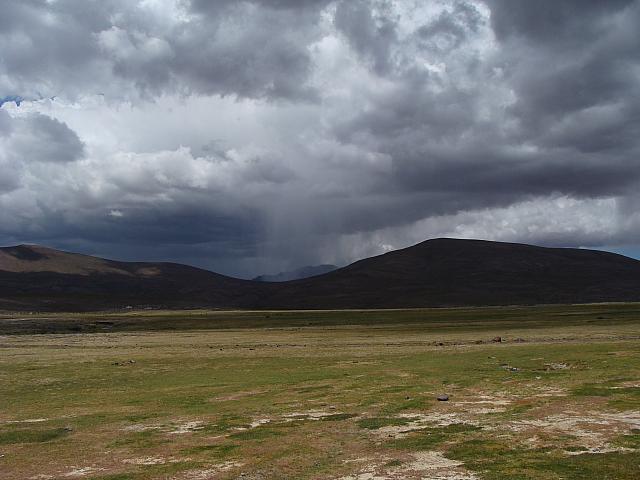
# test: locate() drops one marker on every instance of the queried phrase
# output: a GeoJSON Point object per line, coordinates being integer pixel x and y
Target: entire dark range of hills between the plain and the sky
{"type": "Point", "coordinates": [439, 272]}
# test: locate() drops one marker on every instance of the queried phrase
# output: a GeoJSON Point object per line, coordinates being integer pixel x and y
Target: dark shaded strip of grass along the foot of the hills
{"type": "Point", "coordinates": [461, 319]}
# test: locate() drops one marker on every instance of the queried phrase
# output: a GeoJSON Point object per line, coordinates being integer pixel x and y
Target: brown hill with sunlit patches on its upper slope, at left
{"type": "Point", "coordinates": [39, 278]}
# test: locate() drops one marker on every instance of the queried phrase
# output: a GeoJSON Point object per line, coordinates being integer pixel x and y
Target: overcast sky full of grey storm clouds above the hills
{"type": "Point", "coordinates": [256, 136]}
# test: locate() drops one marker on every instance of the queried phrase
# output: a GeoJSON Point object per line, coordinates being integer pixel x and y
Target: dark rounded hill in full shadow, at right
{"type": "Point", "coordinates": [449, 272]}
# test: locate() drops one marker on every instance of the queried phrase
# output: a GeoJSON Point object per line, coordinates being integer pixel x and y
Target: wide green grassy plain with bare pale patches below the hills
{"type": "Point", "coordinates": [322, 395]}
